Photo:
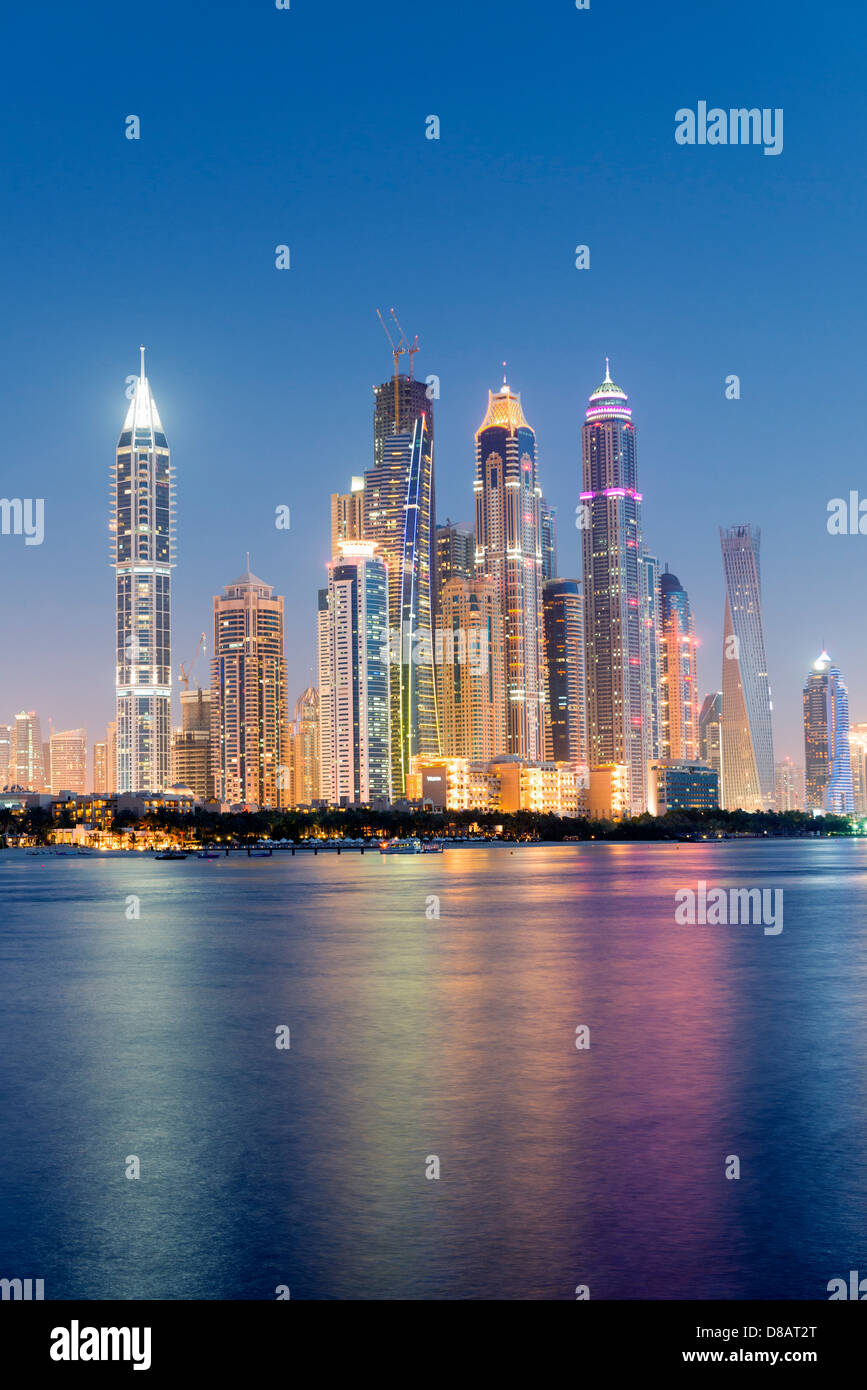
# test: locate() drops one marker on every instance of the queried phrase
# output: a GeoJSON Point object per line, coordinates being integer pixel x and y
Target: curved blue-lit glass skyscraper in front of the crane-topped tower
{"type": "Point", "coordinates": [398, 515]}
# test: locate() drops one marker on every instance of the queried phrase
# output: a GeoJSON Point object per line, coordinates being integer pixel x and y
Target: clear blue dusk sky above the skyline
{"type": "Point", "coordinates": [308, 129]}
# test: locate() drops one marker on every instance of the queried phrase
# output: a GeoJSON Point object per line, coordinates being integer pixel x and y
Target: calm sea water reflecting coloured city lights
{"type": "Point", "coordinates": [416, 1038]}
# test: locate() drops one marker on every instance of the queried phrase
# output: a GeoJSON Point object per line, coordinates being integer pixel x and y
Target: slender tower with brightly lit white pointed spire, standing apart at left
{"type": "Point", "coordinates": [144, 555]}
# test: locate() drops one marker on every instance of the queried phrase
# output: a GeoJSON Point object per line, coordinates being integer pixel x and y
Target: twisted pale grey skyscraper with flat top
{"type": "Point", "coordinates": [747, 733]}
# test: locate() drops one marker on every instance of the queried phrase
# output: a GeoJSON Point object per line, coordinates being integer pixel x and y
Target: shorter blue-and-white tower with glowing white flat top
{"type": "Point", "coordinates": [358, 655]}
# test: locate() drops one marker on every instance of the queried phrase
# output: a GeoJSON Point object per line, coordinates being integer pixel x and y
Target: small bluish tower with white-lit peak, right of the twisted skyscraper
{"type": "Point", "coordinates": [829, 769]}
